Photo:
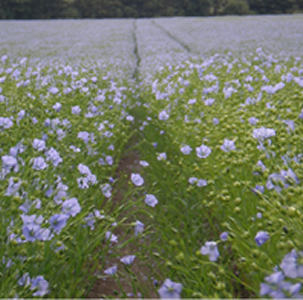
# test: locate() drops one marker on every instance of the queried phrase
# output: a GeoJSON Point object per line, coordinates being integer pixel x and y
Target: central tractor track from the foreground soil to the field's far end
{"type": "Point", "coordinates": [129, 163]}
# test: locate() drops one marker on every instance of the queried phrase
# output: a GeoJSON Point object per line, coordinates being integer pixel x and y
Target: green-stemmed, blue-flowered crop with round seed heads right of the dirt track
{"type": "Point", "coordinates": [223, 139]}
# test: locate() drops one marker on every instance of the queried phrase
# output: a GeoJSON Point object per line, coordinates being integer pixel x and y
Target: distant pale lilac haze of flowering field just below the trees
{"type": "Point", "coordinates": [162, 40]}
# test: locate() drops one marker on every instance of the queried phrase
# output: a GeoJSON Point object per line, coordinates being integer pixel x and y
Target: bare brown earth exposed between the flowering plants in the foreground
{"type": "Point", "coordinates": [107, 288]}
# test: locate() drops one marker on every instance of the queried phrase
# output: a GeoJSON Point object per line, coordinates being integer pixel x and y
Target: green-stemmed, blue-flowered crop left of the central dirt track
{"type": "Point", "coordinates": [63, 129]}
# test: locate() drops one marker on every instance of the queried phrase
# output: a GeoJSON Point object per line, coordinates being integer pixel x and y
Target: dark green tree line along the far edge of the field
{"type": "Point", "coordinates": [65, 9]}
